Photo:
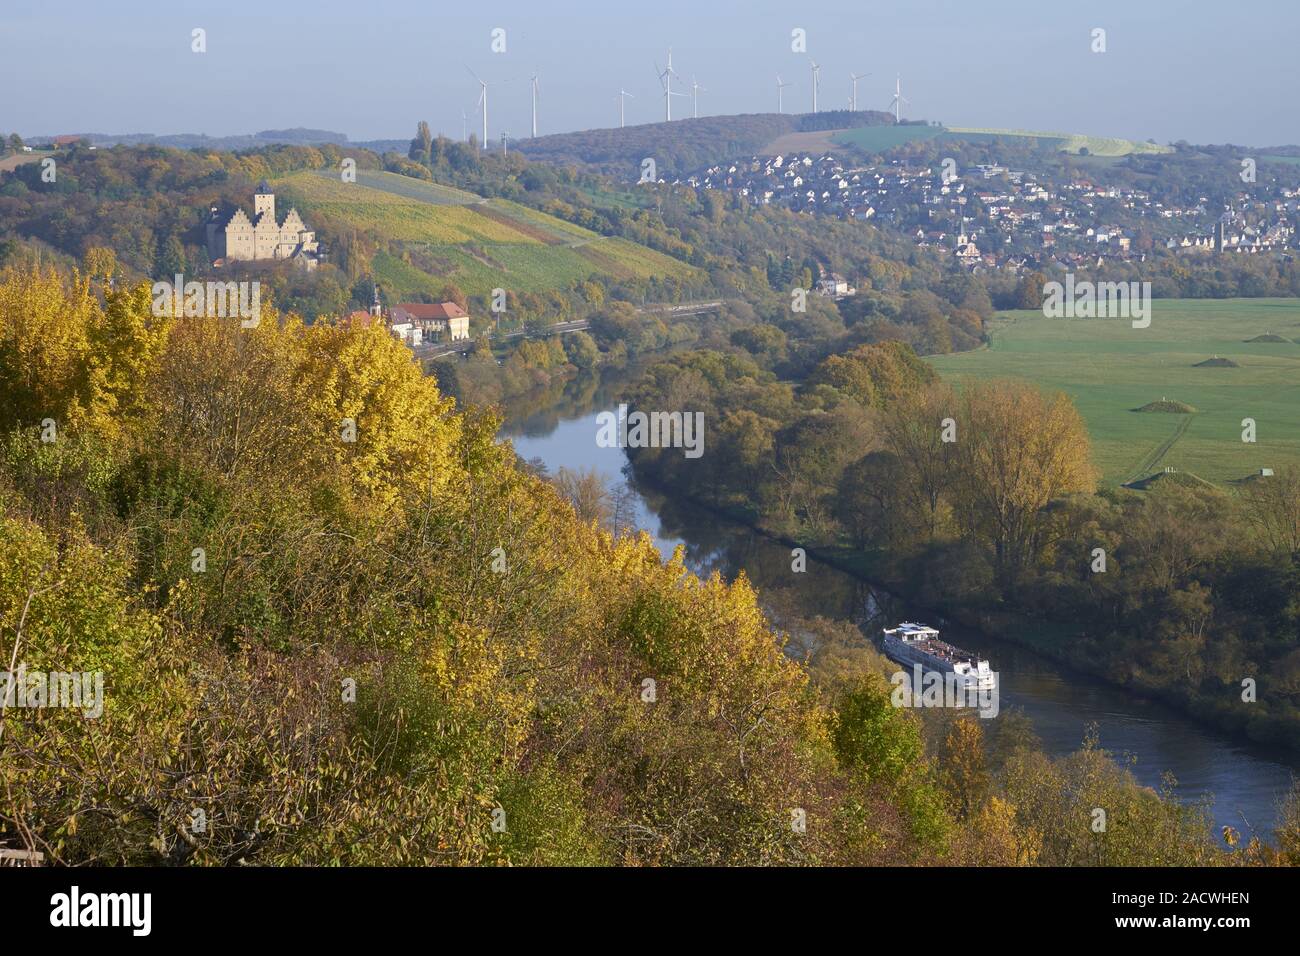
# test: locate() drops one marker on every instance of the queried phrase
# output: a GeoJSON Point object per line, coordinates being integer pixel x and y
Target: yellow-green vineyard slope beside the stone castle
{"type": "Point", "coordinates": [441, 235]}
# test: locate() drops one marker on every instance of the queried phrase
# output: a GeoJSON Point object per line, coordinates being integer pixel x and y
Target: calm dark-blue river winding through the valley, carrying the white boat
{"type": "Point", "coordinates": [1246, 781]}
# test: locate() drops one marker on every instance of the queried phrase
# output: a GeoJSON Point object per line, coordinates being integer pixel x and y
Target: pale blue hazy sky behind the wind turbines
{"type": "Point", "coordinates": [1203, 71]}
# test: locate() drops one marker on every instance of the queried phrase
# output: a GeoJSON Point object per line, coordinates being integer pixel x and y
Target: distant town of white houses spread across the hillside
{"type": "Point", "coordinates": [991, 217]}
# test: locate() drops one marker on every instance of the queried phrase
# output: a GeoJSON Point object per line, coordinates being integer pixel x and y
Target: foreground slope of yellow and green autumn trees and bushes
{"type": "Point", "coordinates": [339, 625]}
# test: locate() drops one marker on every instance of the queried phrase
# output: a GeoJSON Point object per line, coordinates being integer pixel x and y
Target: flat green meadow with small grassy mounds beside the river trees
{"type": "Point", "coordinates": [1110, 369]}
